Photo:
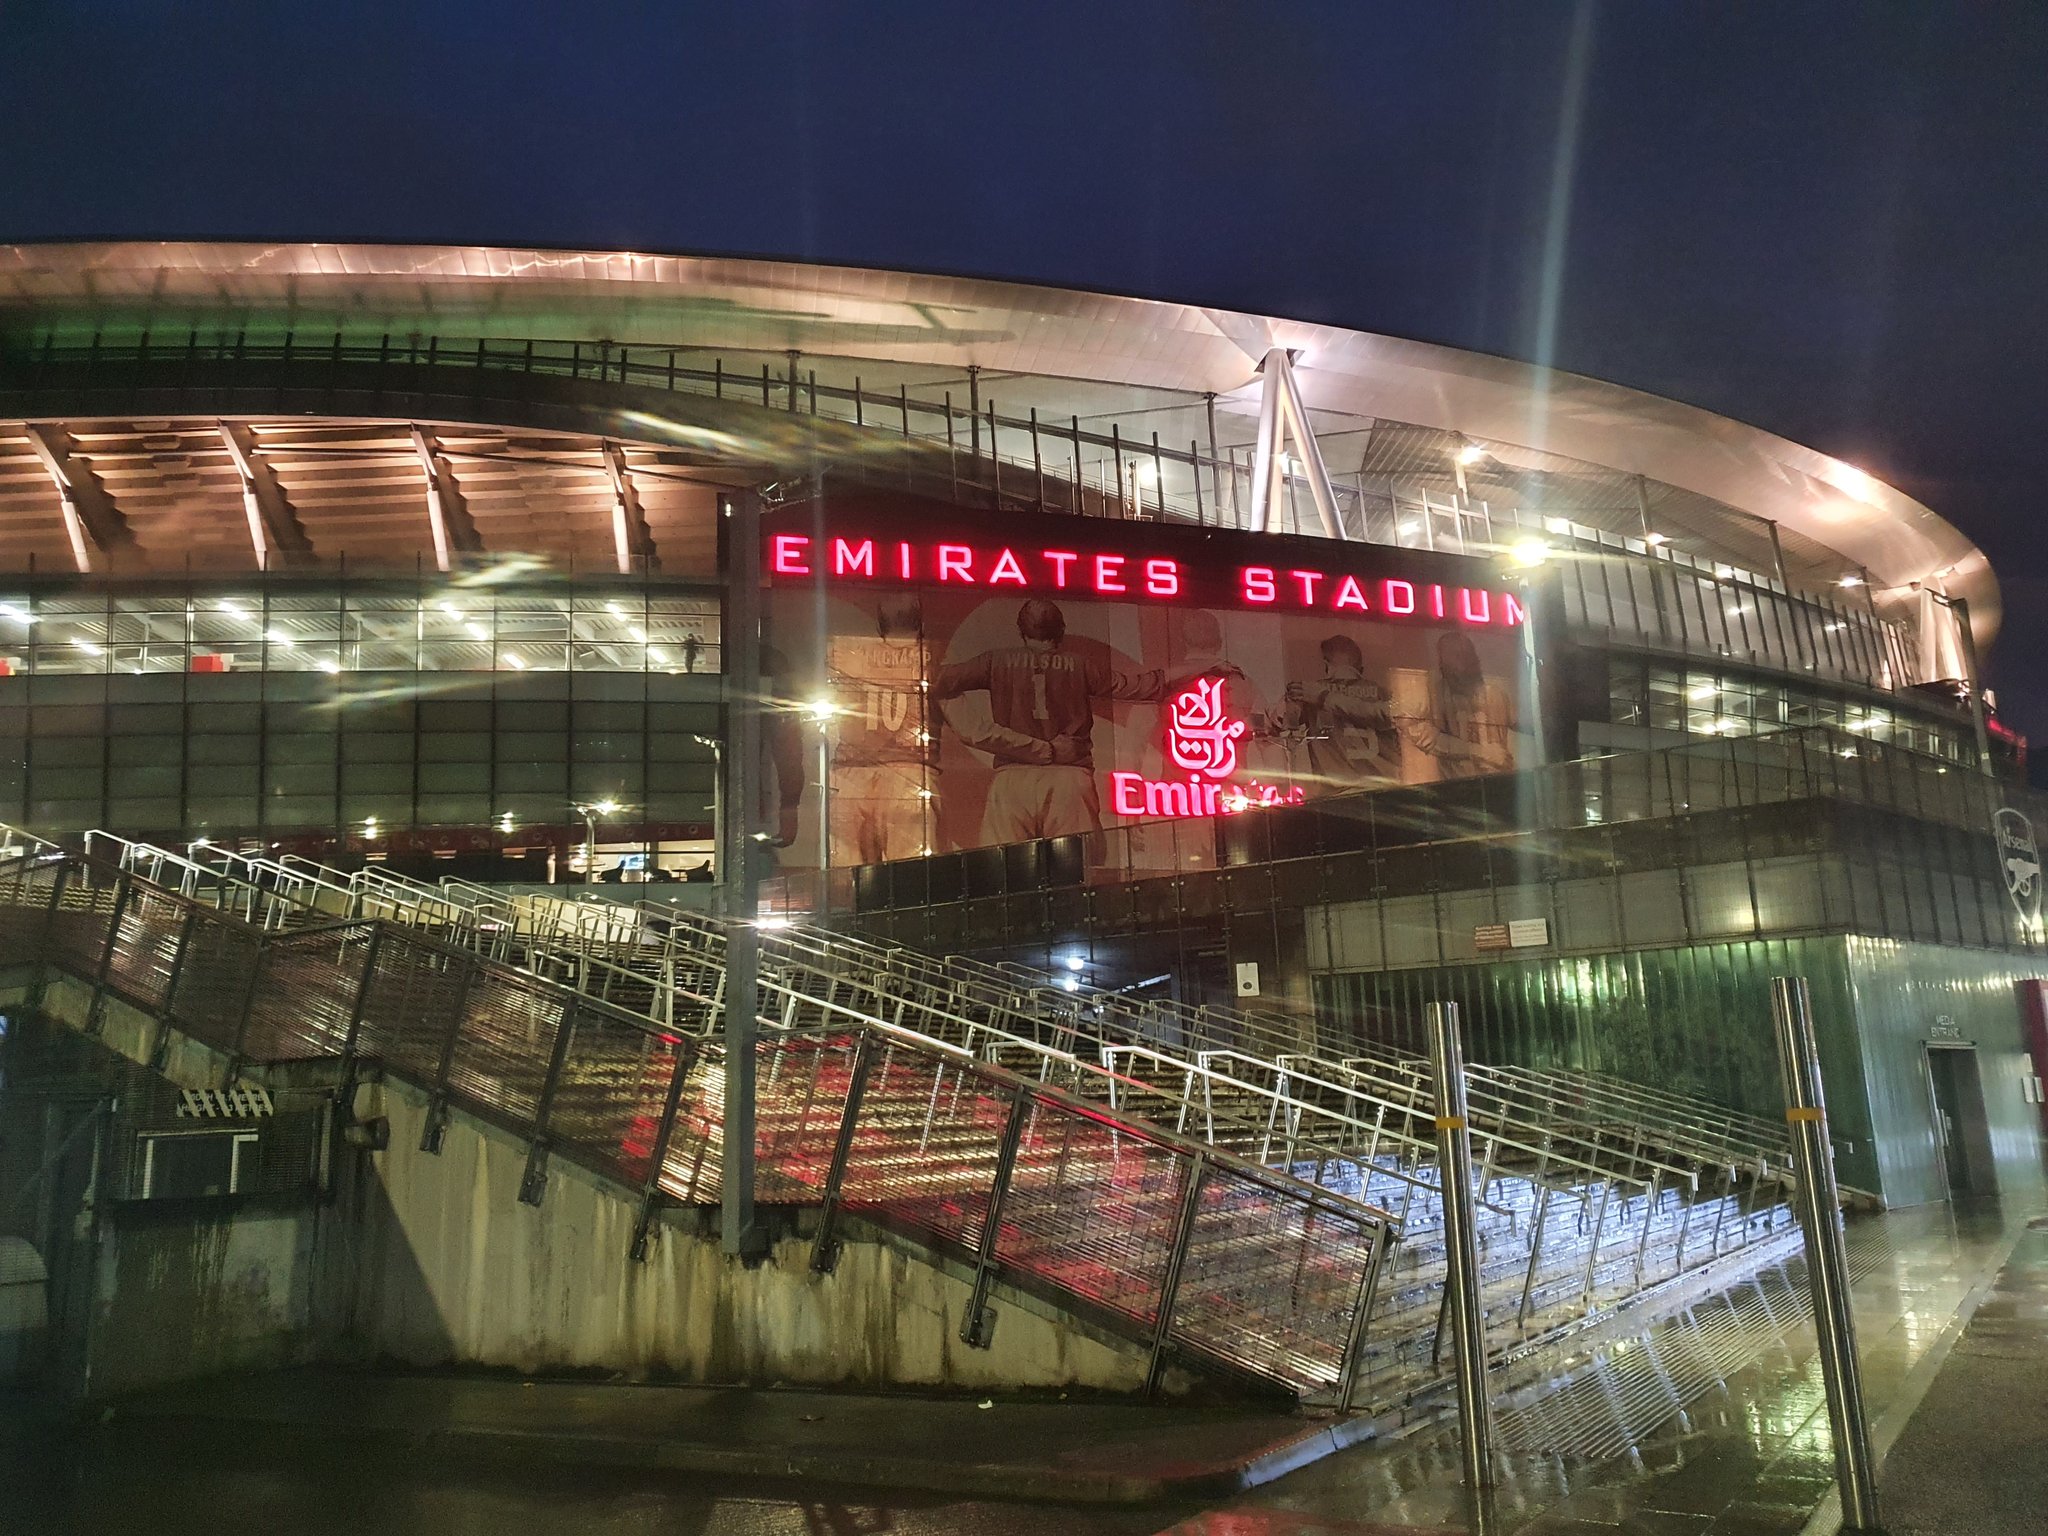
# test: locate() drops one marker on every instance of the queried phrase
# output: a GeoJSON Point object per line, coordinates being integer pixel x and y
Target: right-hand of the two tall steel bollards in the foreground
{"type": "Point", "coordinates": [1828, 1271]}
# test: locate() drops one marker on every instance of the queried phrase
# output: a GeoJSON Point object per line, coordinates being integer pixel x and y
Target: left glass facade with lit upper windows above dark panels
{"type": "Point", "coordinates": [337, 712]}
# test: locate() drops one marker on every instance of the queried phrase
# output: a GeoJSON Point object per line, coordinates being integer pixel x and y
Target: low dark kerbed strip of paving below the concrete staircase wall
{"type": "Point", "coordinates": [996, 1449]}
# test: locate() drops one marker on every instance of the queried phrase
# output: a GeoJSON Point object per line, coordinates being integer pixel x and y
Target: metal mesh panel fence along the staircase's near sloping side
{"type": "Point", "coordinates": [1199, 1254]}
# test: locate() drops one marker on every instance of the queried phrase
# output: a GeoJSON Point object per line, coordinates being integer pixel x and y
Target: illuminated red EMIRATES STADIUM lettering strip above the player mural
{"type": "Point", "coordinates": [1132, 577]}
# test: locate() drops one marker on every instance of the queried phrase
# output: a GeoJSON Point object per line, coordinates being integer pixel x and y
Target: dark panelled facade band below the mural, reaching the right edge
{"type": "Point", "coordinates": [1738, 839]}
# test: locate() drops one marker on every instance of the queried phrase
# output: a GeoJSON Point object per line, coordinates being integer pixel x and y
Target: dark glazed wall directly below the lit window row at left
{"type": "Point", "coordinates": [304, 753]}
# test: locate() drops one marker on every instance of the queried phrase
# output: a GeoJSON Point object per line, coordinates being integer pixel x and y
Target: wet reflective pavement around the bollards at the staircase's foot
{"type": "Point", "coordinates": [1746, 1453]}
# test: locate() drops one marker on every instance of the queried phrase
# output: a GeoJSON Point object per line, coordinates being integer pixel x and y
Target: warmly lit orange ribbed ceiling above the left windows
{"type": "Point", "coordinates": [169, 495]}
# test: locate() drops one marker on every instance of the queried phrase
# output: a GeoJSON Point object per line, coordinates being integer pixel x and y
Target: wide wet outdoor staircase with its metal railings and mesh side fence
{"type": "Point", "coordinates": [1218, 1185]}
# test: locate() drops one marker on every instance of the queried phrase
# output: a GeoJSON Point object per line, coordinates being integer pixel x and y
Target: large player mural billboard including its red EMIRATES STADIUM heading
{"type": "Point", "coordinates": [966, 714]}
